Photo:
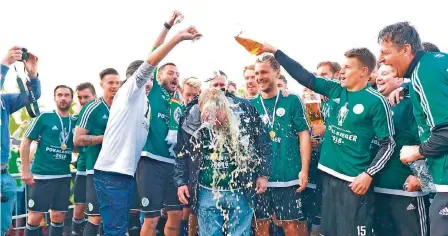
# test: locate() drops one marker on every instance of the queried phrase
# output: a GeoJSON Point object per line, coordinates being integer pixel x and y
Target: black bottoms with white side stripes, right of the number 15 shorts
{"type": "Point", "coordinates": [401, 215]}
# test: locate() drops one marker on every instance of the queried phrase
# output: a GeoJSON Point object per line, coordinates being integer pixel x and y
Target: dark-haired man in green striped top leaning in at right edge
{"type": "Point", "coordinates": [402, 49]}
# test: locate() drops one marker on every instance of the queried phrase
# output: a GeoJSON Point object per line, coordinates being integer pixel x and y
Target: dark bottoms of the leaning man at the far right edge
{"type": "Point", "coordinates": [438, 215]}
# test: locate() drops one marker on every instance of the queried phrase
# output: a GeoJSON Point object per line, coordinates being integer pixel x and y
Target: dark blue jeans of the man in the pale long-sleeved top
{"type": "Point", "coordinates": [115, 193]}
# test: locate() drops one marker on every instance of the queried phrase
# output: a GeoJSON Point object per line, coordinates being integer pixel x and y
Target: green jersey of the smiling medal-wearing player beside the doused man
{"type": "Point", "coordinates": [289, 120]}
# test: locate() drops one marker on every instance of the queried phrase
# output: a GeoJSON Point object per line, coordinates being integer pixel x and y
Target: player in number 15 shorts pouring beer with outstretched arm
{"type": "Point", "coordinates": [357, 114]}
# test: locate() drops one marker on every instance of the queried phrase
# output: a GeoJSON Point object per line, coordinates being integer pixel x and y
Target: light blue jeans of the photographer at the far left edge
{"type": "Point", "coordinates": [8, 189]}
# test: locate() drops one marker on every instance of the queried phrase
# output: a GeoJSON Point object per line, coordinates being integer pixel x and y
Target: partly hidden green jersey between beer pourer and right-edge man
{"type": "Point", "coordinates": [391, 178]}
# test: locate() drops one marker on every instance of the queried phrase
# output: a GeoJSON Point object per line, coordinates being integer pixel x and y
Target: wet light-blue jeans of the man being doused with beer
{"type": "Point", "coordinates": [211, 219]}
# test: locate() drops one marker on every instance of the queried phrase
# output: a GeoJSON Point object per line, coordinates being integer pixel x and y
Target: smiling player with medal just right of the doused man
{"type": "Point", "coordinates": [285, 123]}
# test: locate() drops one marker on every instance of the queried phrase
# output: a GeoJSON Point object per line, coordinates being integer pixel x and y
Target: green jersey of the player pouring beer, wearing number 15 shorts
{"type": "Point", "coordinates": [354, 119]}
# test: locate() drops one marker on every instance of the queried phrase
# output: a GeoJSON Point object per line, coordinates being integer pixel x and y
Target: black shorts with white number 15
{"type": "Point", "coordinates": [344, 212]}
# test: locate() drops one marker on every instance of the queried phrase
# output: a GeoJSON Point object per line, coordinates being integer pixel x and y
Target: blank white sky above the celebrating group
{"type": "Point", "coordinates": [75, 40]}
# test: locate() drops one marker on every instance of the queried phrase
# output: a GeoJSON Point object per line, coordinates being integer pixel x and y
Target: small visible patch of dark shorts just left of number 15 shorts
{"type": "Point", "coordinates": [312, 203]}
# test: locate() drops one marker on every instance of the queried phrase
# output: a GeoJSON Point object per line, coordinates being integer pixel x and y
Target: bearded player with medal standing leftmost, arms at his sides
{"type": "Point", "coordinates": [50, 177]}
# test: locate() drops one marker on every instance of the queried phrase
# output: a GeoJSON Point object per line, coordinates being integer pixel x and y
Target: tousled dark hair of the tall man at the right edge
{"type": "Point", "coordinates": [401, 33]}
